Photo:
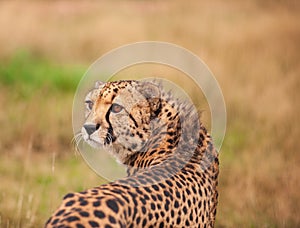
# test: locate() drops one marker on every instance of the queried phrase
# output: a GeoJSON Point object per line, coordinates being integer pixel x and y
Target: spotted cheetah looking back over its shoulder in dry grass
{"type": "Point", "coordinates": [172, 165]}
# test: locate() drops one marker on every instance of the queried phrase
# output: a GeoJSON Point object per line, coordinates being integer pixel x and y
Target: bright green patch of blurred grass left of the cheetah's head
{"type": "Point", "coordinates": [27, 74]}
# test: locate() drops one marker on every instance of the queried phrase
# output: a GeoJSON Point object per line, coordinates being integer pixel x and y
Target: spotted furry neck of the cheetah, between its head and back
{"type": "Point", "coordinates": [176, 140]}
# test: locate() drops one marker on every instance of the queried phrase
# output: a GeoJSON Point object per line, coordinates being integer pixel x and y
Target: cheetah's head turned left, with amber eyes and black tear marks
{"type": "Point", "coordinates": [118, 115]}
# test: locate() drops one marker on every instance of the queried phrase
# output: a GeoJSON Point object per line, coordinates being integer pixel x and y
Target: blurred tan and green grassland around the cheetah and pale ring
{"type": "Point", "coordinates": [251, 46]}
